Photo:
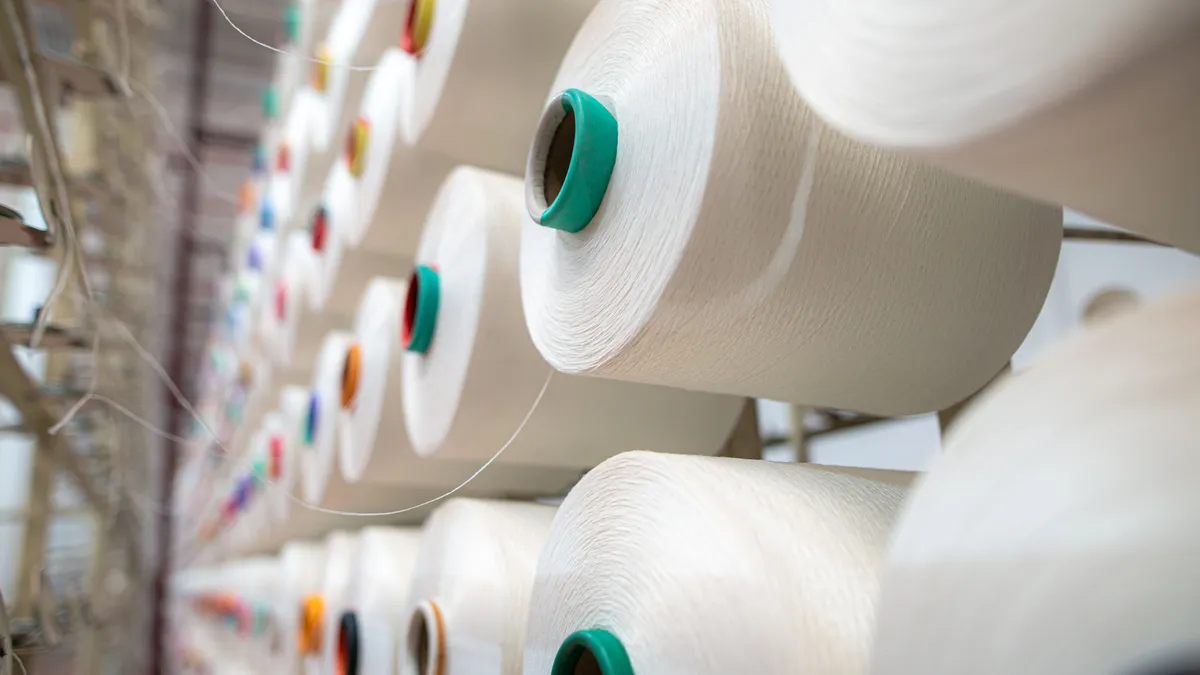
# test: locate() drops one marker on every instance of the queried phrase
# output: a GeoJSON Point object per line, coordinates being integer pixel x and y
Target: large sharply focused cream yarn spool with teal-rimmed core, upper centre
{"type": "Point", "coordinates": [784, 260]}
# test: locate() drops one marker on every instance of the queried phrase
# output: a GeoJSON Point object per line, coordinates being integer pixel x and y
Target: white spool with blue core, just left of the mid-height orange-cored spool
{"type": "Point", "coordinates": [322, 483]}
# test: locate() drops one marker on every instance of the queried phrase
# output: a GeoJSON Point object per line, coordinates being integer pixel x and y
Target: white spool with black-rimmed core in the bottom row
{"type": "Point", "coordinates": [387, 560]}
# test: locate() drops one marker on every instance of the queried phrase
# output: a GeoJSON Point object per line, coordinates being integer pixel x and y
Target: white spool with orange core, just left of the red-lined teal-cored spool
{"type": "Point", "coordinates": [373, 443]}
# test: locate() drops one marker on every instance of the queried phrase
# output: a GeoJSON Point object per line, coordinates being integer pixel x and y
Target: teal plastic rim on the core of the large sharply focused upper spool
{"type": "Point", "coordinates": [593, 158]}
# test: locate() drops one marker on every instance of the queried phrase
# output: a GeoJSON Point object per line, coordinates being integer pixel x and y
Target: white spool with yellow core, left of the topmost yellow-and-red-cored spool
{"type": "Point", "coordinates": [361, 34]}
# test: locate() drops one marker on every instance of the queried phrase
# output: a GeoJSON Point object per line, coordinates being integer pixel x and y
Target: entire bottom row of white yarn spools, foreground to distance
{"type": "Point", "coordinates": [1064, 505]}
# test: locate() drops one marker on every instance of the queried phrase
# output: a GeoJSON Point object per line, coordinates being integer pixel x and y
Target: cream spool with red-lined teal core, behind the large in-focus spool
{"type": "Point", "coordinates": [482, 375]}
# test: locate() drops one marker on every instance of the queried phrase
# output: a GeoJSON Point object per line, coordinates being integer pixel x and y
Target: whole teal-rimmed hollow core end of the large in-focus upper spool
{"type": "Point", "coordinates": [571, 162]}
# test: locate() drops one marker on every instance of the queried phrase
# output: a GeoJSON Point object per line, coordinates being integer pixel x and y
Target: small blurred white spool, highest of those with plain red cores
{"type": "Point", "coordinates": [298, 168]}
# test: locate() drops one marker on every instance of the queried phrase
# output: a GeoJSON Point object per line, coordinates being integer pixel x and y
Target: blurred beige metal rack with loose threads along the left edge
{"type": "Point", "coordinates": [85, 582]}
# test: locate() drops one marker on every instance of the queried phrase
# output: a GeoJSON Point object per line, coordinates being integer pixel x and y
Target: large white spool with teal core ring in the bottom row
{"type": "Point", "coordinates": [712, 565]}
